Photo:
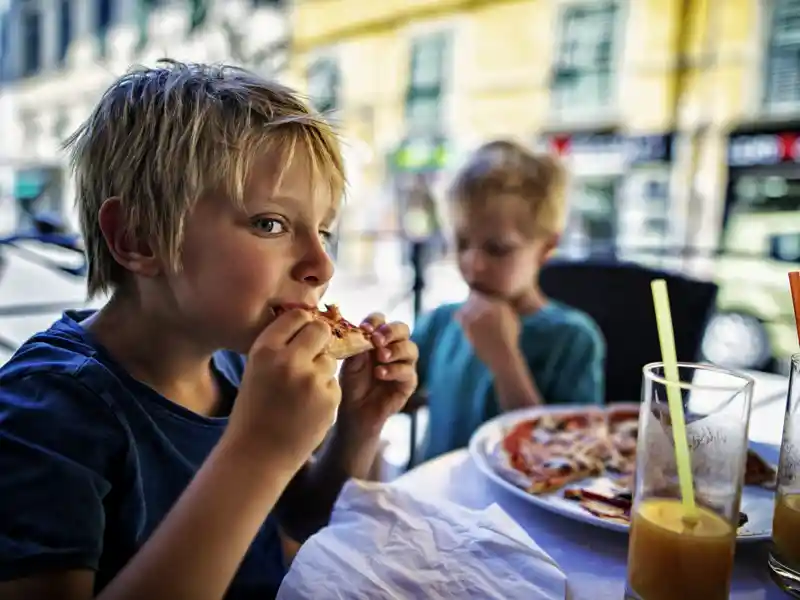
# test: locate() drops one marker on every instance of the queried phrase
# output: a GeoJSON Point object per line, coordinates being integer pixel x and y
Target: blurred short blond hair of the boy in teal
{"type": "Point", "coordinates": [504, 169]}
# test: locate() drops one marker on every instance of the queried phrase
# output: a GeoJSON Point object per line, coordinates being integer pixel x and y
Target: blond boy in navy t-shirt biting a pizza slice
{"type": "Point", "coordinates": [141, 457]}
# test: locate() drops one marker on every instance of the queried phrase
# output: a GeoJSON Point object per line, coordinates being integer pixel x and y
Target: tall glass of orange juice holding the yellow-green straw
{"type": "Point", "coordinates": [676, 551]}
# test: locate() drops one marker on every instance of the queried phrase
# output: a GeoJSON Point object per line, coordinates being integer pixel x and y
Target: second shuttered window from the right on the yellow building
{"type": "Point", "coordinates": [583, 74]}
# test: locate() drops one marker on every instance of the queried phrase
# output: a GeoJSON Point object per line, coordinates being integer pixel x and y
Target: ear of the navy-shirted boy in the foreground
{"type": "Point", "coordinates": [135, 255]}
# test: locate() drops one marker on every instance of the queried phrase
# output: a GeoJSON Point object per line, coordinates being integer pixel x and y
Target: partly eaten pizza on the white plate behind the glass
{"type": "Point", "coordinates": [589, 457]}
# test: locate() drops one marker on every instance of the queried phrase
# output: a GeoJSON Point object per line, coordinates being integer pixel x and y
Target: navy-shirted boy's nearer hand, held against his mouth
{"type": "Point", "coordinates": [289, 394]}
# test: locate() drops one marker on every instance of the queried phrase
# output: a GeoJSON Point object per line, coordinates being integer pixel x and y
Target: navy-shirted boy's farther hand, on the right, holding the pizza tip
{"type": "Point", "coordinates": [377, 384]}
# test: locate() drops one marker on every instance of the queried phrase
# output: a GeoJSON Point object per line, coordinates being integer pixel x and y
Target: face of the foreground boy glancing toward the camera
{"type": "Point", "coordinates": [237, 265]}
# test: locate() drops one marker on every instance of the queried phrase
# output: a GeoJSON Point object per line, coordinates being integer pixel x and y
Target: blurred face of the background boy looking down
{"type": "Point", "coordinates": [494, 256]}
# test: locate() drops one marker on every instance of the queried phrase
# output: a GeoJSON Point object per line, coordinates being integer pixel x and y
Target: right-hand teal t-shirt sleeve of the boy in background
{"type": "Point", "coordinates": [579, 377]}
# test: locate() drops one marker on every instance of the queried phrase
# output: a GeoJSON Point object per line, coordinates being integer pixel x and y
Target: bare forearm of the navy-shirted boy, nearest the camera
{"type": "Point", "coordinates": [197, 549]}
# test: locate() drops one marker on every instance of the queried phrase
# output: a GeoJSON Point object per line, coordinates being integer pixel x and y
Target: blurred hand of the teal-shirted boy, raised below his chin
{"type": "Point", "coordinates": [492, 327]}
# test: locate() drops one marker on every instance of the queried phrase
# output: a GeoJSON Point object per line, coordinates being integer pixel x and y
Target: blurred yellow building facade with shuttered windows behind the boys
{"type": "Point", "coordinates": [675, 76]}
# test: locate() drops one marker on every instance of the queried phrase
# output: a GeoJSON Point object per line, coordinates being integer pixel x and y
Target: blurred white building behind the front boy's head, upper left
{"type": "Point", "coordinates": [58, 56]}
